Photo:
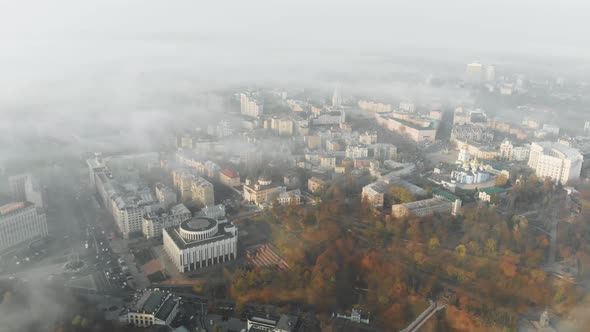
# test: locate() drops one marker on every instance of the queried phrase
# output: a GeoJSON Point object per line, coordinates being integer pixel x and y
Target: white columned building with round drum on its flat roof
{"type": "Point", "coordinates": [199, 242]}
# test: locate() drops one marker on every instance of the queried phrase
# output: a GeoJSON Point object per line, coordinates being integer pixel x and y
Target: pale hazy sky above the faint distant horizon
{"type": "Point", "coordinates": [500, 24]}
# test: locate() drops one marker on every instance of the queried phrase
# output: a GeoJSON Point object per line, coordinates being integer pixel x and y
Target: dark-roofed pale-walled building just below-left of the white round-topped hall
{"type": "Point", "coordinates": [151, 307]}
